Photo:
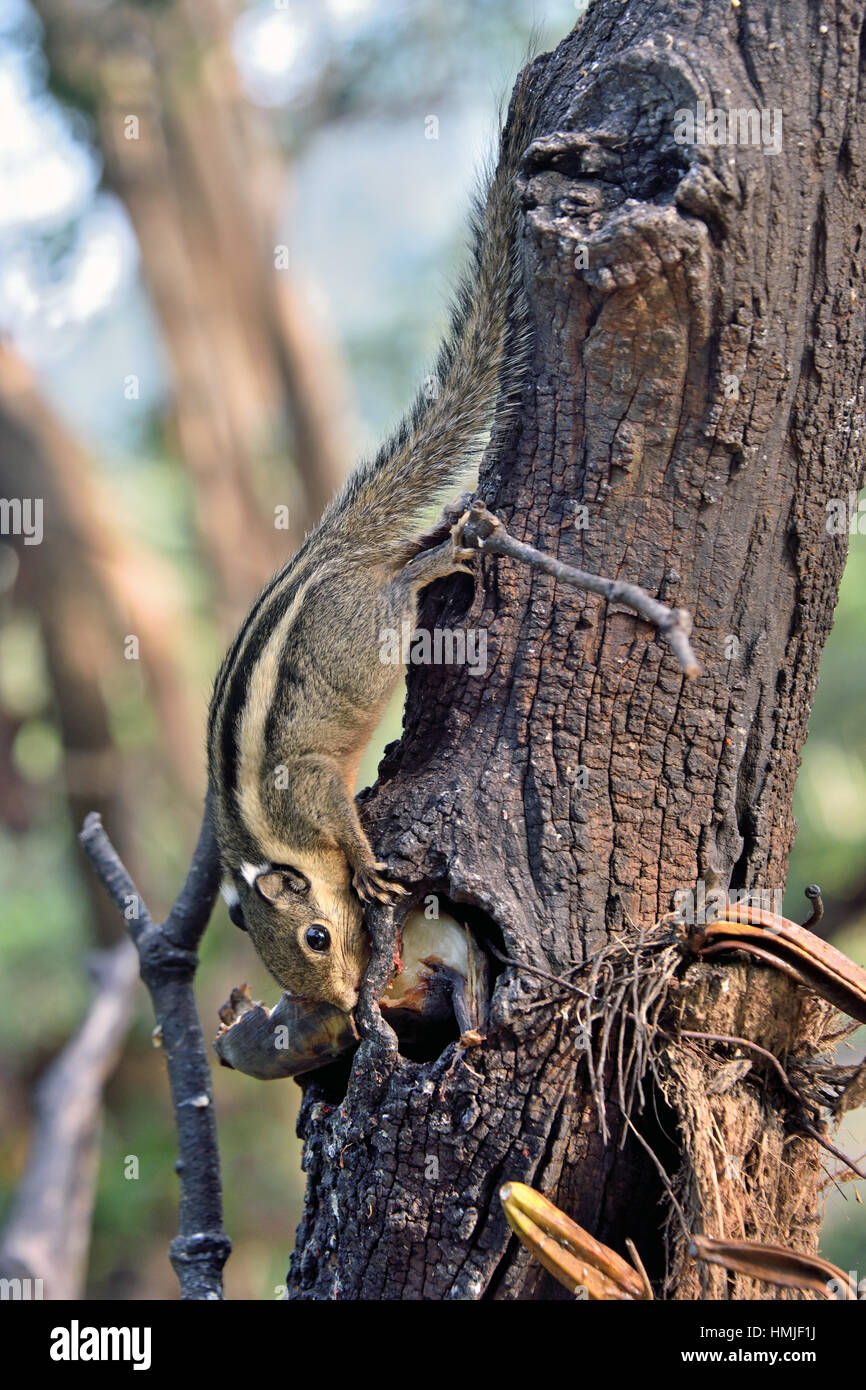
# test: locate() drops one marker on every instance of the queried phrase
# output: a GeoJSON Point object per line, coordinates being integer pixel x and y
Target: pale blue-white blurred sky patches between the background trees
{"type": "Point", "coordinates": [72, 298]}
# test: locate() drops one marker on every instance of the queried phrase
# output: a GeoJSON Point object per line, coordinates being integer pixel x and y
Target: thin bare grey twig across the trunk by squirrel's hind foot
{"type": "Point", "coordinates": [483, 532]}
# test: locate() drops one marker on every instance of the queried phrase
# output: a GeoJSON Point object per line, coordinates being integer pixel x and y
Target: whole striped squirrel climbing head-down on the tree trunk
{"type": "Point", "coordinates": [302, 687]}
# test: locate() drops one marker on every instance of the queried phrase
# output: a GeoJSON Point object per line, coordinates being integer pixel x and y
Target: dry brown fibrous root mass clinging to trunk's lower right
{"type": "Point", "coordinates": [747, 1170]}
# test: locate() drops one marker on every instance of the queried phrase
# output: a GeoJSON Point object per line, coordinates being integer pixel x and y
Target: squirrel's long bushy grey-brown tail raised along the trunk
{"type": "Point", "coordinates": [483, 355]}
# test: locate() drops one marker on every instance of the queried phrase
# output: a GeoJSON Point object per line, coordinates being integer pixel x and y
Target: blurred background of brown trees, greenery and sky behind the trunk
{"type": "Point", "coordinates": [226, 240]}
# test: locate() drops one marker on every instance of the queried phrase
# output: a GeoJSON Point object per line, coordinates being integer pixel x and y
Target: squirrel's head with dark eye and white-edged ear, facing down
{"type": "Point", "coordinates": [307, 926]}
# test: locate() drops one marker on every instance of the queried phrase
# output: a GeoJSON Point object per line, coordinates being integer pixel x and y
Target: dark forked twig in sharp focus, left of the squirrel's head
{"type": "Point", "coordinates": [169, 960]}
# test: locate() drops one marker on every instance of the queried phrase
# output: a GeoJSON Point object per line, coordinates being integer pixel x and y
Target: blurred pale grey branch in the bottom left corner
{"type": "Point", "coordinates": [49, 1228]}
